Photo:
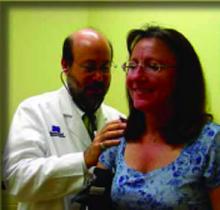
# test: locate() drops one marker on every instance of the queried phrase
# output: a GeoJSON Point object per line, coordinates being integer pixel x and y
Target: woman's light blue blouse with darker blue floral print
{"type": "Point", "coordinates": [181, 185]}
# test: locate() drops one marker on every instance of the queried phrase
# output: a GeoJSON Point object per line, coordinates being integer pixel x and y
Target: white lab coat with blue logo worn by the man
{"type": "Point", "coordinates": [43, 159]}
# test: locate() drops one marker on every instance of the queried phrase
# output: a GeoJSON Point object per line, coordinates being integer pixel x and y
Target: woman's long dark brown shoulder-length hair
{"type": "Point", "coordinates": [189, 114]}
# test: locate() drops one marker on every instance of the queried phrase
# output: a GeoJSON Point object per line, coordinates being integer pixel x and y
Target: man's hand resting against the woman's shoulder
{"type": "Point", "coordinates": [107, 137]}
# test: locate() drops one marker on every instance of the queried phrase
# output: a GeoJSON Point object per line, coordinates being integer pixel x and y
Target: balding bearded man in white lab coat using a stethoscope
{"type": "Point", "coordinates": [49, 150]}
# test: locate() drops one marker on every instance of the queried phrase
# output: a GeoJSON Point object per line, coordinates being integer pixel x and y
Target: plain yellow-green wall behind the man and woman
{"type": "Point", "coordinates": [36, 35]}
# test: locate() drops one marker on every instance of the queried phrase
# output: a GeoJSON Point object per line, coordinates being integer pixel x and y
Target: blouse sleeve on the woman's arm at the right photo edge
{"type": "Point", "coordinates": [212, 171]}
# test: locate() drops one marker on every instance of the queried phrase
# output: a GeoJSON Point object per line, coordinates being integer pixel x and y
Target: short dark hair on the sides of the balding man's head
{"type": "Point", "coordinates": [67, 55]}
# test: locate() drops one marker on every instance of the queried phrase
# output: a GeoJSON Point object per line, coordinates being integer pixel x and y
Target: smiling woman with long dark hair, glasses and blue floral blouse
{"type": "Point", "coordinates": [169, 157]}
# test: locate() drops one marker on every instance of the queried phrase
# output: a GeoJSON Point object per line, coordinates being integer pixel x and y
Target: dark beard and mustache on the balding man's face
{"type": "Point", "coordinates": [88, 104]}
